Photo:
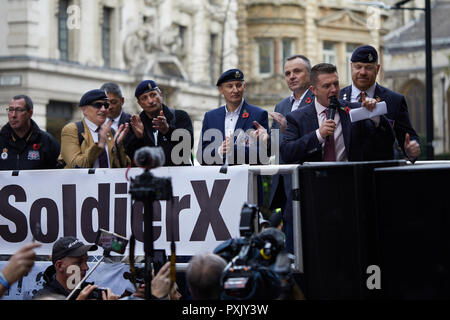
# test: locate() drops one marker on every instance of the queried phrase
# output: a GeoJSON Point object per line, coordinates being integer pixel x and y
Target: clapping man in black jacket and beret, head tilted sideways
{"type": "Point", "coordinates": [156, 124]}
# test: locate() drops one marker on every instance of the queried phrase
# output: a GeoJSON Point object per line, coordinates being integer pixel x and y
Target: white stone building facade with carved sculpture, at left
{"type": "Point", "coordinates": [55, 50]}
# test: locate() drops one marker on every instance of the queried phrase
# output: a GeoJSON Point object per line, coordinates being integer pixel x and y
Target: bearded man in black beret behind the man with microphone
{"type": "Point", "coordinates": [364, 70]}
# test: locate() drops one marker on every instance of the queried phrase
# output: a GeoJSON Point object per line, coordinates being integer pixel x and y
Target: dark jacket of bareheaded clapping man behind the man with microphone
{"type": "Point", "coordinates": [279, 196]}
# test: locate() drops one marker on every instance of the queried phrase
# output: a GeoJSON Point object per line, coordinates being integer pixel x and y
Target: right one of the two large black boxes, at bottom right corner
{"type": "Point", "coordinates": [413, 215]}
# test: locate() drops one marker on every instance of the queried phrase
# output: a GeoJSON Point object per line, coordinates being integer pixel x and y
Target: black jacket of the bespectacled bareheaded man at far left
{"type": "Point", "coordinates": [37, 150]}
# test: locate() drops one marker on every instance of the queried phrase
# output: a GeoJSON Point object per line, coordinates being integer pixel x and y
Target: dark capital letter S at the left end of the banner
{"type": "Point", "coordinates": [14, 215]}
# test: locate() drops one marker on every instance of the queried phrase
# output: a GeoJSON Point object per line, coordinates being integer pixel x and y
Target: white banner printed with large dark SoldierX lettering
{"type": "Point", "coordinates": [49, 204]}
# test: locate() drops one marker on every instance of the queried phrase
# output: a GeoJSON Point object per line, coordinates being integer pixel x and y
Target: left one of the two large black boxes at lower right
{"type": "Point", "coordinates": [338, 228]}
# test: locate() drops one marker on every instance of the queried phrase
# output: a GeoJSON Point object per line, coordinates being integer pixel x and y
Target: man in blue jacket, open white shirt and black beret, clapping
{"type": "Point", "coordinates": [224, 131]}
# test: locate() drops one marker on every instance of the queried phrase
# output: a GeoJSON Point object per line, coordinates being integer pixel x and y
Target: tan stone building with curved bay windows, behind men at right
{"type": "Point", "coordinates": [323, 30]}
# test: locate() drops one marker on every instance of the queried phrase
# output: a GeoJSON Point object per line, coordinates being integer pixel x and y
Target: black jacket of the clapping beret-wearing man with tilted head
{"type": "Point", "coordinates": [177, 119]}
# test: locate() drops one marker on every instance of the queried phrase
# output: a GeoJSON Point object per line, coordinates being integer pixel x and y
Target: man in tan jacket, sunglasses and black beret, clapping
{"type": "Point", "coordinates": [91, 143]}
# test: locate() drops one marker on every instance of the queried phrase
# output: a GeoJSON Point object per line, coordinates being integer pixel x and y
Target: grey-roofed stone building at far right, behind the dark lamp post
{"type": "Point", "coordinates": [405, 69]}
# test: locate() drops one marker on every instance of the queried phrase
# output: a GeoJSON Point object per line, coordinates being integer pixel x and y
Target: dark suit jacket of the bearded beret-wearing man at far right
{"type": "Point", "coordinates": [397, 112]}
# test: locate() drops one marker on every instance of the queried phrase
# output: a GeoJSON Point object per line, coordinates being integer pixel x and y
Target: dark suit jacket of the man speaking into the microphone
{"type": "Point", "coordinates": [300, 143]}
